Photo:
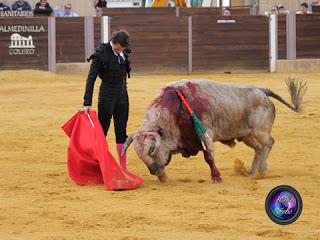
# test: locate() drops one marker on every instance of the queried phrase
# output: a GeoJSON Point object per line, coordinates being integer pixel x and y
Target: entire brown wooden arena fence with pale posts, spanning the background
{"type": "Point", "coordinates": [162, 42]}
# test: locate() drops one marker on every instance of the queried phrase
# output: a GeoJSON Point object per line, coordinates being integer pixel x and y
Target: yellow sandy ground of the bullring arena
{"type": "Point", "coordinates": [39, 201]}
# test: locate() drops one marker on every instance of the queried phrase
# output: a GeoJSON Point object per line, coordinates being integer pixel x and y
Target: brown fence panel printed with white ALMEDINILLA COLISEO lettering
{"type": "Point", "coordinates": [24, 43]}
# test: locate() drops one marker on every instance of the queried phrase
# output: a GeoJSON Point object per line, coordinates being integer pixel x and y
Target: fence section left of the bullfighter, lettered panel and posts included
{"type": "Point", "coordinates": [41, 42]}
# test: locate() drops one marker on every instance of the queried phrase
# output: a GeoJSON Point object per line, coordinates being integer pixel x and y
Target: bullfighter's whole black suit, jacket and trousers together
{"type": "Point", "coordinates": [113, 96]}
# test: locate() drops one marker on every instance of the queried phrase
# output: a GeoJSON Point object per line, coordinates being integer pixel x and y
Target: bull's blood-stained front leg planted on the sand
{"type": "Point", "coordinates": [209, 157]}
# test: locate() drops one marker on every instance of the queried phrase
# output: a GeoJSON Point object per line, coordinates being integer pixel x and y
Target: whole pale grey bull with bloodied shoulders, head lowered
{"type": "Point", "coordinates": [229, 112]}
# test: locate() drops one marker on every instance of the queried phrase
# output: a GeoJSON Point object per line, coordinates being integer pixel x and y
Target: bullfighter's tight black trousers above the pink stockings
{"type": "Point", "coordinates": [114, 102]}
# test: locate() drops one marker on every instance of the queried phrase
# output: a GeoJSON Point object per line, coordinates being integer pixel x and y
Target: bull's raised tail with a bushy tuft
{"type": "Point", "coordinates": [296, 88]}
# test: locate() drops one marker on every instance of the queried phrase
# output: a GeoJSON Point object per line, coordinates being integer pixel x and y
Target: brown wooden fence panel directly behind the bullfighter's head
{"type": "Point", "coordinates": [159, 43]}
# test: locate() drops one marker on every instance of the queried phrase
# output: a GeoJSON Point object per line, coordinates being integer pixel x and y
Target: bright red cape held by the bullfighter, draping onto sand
{"type": "Point", "coordinates": [89, 158]}
